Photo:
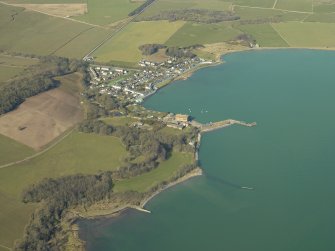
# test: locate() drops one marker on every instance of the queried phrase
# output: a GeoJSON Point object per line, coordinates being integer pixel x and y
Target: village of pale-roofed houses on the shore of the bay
{"type": "Point", "coordinates": [135, 85]}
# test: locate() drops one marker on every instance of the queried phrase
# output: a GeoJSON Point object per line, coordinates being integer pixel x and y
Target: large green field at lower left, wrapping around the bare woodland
{"type": "Point", "coordinates": [78, 153]}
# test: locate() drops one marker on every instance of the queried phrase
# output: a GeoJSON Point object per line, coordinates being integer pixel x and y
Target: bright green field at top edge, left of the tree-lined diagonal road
{"type": "Point", "coordinates": [104, 12]}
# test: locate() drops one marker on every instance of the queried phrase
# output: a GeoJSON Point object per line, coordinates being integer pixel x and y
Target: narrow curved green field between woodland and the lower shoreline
{"type": "Point", "coordinates": [164, 172]}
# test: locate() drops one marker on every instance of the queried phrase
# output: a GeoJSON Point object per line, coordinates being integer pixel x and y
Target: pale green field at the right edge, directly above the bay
{"type": "Point", "coordinates": [299, 34]}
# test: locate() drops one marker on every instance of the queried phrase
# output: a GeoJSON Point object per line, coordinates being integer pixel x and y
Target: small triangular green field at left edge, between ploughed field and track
{"type": "Point", "coordinates": [11, 150]}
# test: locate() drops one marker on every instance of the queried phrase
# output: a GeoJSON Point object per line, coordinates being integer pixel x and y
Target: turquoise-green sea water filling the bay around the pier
{"type": "Point", "coordinates": [288, 158]}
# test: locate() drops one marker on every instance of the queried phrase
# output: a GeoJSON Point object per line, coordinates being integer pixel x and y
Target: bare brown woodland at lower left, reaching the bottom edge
{"type": "Point", "coordinates": [58, 195]}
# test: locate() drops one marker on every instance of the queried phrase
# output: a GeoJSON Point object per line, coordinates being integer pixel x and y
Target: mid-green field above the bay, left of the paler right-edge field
{"type": "Point", "coordinates": [264, 34]}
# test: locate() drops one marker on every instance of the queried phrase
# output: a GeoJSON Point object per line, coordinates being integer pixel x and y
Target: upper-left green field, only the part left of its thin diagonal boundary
{"type": "Point", "coordinates": [35, 33]}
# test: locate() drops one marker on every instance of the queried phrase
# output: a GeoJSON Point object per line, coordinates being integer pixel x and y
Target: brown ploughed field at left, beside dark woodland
{"type": "Point", "coordinates": [42, 118]}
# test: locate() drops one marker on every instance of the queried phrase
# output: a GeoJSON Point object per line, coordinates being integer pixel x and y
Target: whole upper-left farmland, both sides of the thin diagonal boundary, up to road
{"type": "Point", "coordinates": [48, 35]}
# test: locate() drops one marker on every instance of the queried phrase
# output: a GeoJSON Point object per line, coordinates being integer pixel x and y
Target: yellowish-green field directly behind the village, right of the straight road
{"type": "Point", "coordinates": [124, 46]}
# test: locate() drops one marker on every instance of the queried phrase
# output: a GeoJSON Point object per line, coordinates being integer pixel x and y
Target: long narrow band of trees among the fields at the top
{"type": "Point", "coordinates": [193, 15]}
